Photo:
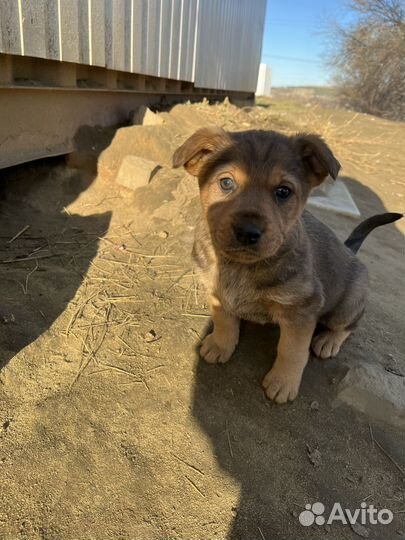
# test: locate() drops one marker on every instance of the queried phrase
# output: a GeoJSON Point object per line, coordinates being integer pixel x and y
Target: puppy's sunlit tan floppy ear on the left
{"type": "Point", "coordinates": [193, 154]}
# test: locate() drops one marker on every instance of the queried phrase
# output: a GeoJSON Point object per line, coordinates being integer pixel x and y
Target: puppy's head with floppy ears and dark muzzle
{"type": "Point", "coordinates": [254, 185]}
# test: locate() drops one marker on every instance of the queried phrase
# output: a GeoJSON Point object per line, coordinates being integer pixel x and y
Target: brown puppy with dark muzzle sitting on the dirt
{"type": "Point", "coordinates": [263, 257]}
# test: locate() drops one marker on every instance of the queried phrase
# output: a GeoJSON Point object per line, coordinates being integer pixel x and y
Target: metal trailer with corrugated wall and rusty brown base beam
{"type": "Point", "coordinates": [68, 63]}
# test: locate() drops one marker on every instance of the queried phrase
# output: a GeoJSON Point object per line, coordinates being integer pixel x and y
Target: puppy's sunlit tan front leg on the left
{"type": "Point", "coordinates": [218, 346]}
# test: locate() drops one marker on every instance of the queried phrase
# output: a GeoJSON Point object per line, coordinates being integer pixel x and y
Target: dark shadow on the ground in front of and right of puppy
{"type": "Point", "coordinates": [284, 457]}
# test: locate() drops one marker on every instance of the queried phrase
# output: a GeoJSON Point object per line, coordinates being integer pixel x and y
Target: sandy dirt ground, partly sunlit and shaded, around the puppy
{"type": "Point", "coordinates": [110, 425]}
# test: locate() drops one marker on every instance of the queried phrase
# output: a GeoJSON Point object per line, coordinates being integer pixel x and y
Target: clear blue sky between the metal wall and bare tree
{"type": "Point", "coordinates": [294, 40]}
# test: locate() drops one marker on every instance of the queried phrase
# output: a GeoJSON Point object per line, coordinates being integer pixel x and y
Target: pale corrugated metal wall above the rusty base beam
{"type": "Point", "coordinates": [213, 43]}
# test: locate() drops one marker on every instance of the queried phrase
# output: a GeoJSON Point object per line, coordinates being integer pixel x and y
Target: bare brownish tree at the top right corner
{"type": "Point", "coordinates": [368, 58]}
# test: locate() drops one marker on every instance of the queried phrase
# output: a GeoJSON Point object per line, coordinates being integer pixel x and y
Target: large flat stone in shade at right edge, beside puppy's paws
{"type": "Point", "coordinates": [376, 392]}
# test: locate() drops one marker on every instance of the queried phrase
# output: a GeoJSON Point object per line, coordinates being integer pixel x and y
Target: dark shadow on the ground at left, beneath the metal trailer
{"type": "Point", "coordinates": [45, 250]}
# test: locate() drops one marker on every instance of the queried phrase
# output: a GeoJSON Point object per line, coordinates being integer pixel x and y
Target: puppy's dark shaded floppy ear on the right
{"type": "Point", "coordinates": [317, 157]}
